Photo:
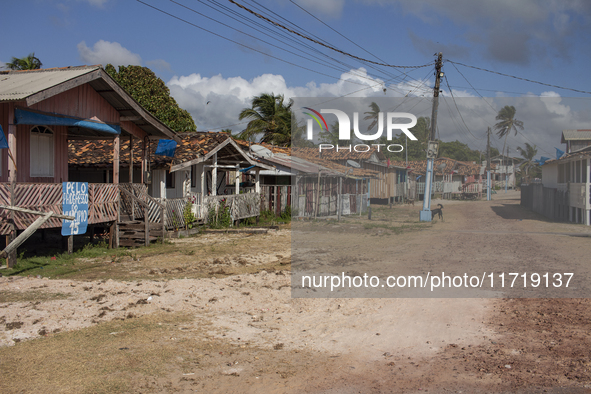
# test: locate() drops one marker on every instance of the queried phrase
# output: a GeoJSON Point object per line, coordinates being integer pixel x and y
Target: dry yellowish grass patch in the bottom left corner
{"type": "Point", "coordinates": [93, 360]}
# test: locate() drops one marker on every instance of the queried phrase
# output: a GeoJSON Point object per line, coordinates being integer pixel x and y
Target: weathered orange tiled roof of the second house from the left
{"type": "Point", "coordinates": [99, 153]}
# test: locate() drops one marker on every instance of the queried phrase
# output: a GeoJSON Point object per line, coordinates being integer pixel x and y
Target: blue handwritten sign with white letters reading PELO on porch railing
{"type": "Point", "coordinates": [75, 203]}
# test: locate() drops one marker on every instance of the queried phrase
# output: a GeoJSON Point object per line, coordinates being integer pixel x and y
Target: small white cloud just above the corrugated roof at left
{"type": "Point", "coordinates": [104, 52]}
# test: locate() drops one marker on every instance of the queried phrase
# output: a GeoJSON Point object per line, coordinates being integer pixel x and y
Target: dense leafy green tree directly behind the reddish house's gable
{"type": "Point", "coordinates": [152, 94]}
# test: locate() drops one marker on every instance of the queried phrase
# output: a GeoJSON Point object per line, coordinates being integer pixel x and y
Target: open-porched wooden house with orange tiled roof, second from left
{"type": "Point", "coordinates": [205, 165]}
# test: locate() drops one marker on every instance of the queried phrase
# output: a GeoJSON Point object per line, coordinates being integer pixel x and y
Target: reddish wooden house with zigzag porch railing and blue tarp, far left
{"type": "Point", "coordinates": [40, 111]}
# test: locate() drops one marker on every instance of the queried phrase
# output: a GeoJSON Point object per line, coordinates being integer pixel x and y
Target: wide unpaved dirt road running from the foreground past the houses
{"type": "Point", "coordinates": [244, 333]}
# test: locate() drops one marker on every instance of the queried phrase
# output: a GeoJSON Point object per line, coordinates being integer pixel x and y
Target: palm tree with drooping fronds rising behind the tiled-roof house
{"type": "Point", "coordinates": [270, 117]}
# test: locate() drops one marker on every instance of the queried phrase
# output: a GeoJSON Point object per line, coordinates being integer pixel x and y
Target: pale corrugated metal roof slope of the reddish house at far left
{"type": "Point", "coordinates": [18, 85]}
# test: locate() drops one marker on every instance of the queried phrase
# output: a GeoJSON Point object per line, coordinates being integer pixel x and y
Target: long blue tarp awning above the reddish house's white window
{"type": "Point", "coordinates": [36, 118]}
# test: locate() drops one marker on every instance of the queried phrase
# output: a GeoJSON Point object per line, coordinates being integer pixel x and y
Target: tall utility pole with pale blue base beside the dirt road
{"type": "Point", "coordinates": [432, 146]}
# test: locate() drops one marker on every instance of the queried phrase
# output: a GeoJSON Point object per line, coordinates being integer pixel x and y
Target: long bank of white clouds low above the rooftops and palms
{"type": "Point", "coordinates": [544, 116]}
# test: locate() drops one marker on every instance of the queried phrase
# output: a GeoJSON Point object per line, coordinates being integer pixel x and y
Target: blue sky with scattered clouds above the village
{"type": "Point", "coordinates": [215, 56]}
